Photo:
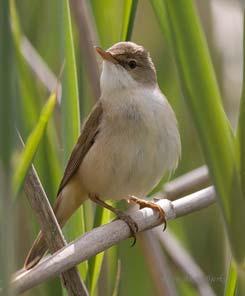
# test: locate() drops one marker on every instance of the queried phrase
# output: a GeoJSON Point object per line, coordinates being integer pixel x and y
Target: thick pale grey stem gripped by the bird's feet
{"type": "Point", "coordinates": [103, 237]}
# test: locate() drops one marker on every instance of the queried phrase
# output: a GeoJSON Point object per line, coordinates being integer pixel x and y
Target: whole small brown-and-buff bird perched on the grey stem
{"type": "Point", "coordinates": [129, 140]}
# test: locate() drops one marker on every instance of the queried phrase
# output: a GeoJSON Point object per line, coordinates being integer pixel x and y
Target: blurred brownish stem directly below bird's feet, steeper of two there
{"type": "Point", "coordinates": [157, 264]}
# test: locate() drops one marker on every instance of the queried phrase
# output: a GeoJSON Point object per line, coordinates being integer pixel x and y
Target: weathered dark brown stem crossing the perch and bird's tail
{"type": "Point", "coordinates": [50, 227]}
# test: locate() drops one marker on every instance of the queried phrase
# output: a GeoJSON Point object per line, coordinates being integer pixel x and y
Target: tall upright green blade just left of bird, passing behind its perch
{"type": "Point", "coordinates": [70, 113]}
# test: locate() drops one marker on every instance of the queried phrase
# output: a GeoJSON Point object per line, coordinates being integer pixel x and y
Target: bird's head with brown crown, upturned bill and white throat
{"type": "Point", "coordinates": [125, 65]}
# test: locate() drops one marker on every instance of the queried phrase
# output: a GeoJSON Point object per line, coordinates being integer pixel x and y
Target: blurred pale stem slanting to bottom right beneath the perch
{"type": "Point", "coordinates": [184, 261]}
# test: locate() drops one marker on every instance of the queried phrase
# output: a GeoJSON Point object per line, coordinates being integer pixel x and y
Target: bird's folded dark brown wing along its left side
{"type": "Point", "coordinates": [84, 143]}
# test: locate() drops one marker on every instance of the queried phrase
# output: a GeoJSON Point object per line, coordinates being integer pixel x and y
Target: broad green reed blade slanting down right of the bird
{"type": "Point", "coordinates": [203, 100]}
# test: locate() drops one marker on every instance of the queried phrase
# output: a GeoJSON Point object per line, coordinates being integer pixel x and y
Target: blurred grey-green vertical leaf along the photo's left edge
{"type": "Point", "coordinates": [7, 122]}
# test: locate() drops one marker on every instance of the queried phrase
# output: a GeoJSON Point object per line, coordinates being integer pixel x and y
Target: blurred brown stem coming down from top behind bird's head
{"type": "Point", "coordinates": [84, 25]}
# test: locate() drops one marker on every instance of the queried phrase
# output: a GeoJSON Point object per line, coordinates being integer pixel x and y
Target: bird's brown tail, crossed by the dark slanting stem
{"type": "Point", "coordinates": [64, 207]}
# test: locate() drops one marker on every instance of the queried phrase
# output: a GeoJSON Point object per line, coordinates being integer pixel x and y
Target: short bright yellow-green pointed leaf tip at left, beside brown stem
{"type": "Point", "coordinates": [28, 153]}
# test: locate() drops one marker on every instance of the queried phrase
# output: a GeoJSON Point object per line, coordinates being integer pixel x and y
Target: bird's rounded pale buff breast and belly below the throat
{"type": "Point", "coordinates": [138, 142]}
